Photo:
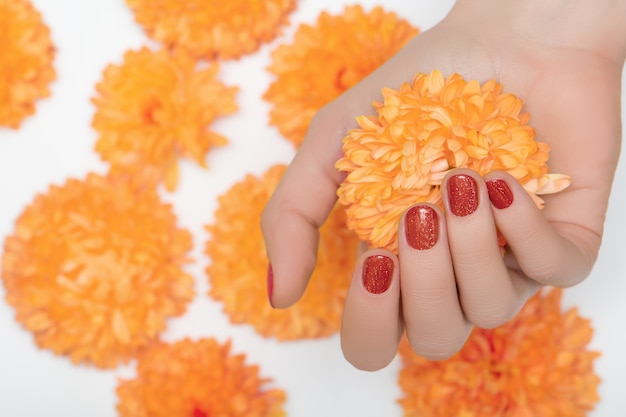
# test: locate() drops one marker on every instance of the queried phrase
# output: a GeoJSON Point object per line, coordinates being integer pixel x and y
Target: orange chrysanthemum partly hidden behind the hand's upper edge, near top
{"type": "Point", "coordinates": [327, 59]}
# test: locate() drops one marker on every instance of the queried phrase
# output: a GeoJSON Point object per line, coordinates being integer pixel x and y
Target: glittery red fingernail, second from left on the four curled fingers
{"type": "Point", "coordinates": [421, 227]}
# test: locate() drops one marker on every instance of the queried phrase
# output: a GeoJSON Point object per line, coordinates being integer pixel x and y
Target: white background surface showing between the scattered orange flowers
{"type": "Point", "coordinates": [57, 143]}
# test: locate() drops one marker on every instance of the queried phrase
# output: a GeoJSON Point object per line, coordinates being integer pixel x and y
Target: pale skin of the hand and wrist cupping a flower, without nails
{"type": "Point", "coordinates": [564, 60]}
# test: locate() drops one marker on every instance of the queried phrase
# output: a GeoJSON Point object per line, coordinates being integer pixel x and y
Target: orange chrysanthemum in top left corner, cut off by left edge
{"type": "Point", "coordinates": [26, 61]}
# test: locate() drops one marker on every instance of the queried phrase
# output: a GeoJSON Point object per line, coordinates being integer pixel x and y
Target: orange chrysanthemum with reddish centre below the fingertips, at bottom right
{"type": "Point", "coordinates": [536, 365]}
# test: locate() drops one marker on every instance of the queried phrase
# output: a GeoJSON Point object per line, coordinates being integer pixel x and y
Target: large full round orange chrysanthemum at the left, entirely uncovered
{"type": "Point", "coordinates": [94, 269]}
